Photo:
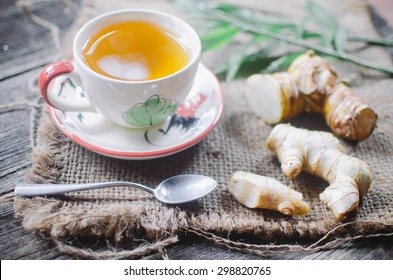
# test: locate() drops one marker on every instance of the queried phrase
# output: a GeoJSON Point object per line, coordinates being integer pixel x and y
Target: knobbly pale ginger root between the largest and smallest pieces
{"type": "Point", "coordinates": [321, 154]}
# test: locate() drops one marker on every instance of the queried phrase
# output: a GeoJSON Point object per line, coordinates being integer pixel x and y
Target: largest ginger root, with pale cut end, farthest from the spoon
{"type": "Point", "coordinates": [311, 85]}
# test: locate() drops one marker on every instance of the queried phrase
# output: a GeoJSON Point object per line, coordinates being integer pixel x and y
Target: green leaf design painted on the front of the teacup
{"type": "Point", "coordinates": [152, 112]}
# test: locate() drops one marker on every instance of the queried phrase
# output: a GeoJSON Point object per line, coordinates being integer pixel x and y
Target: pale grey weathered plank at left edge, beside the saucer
{"type": "Point", "coordinates": [17, 103]}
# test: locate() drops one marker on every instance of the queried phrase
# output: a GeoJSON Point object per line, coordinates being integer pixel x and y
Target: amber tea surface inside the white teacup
{"type": "Point", "coordinates": [134, 50]}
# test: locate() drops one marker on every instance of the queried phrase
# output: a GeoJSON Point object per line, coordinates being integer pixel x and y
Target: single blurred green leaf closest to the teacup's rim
{"type": "Point", "coordinates": [219, 37]}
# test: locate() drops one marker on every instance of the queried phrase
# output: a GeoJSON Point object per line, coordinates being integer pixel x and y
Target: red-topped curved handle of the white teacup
{"type": "Point", "coordinates": [48, 74]}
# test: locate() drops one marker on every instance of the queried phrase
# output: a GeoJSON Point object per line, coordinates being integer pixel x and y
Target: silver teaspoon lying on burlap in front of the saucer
{"type": "Point", "coordinates": [174, 190]}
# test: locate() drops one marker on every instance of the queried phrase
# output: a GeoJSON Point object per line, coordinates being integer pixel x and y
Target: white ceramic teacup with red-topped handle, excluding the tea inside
{"type": "Point", "coordinates": [128, 103]}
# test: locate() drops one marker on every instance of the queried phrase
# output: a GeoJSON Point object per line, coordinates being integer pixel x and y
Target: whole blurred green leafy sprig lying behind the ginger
{"type": "Point", "coordinates": [251, 21]}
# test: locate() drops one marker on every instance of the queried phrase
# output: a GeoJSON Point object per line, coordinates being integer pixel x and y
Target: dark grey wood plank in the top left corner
{"type": "Point", "coordinates": [24, 43]}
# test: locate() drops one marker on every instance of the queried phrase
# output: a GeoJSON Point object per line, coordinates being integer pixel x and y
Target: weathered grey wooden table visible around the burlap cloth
{"type": "Point", "coordinates": [26, 45]}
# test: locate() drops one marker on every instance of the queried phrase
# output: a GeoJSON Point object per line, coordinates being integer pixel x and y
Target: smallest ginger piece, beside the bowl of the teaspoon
{"type": "Point", "coordinates": [256, 191]}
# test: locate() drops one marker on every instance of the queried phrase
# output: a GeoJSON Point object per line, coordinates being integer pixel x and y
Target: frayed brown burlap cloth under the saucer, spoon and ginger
{"type": "Point", "coordinates": [133, 223]}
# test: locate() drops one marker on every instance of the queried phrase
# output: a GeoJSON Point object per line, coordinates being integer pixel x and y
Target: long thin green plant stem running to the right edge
{"type": "Point", "coordinates": [298, 42]}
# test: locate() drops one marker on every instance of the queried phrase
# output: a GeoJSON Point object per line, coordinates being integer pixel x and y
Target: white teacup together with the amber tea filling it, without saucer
{"type": "Point", "coordinates": [135, 67]}
